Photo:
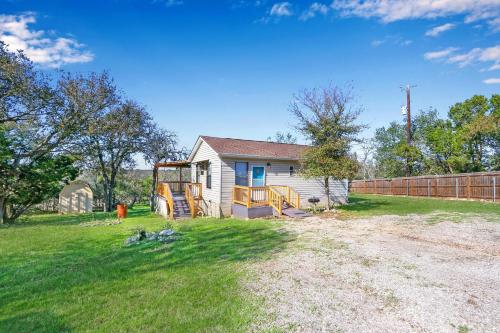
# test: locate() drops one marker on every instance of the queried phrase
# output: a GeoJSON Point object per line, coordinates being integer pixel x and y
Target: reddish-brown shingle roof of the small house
{"type": "Point", "coordinates": [254, 149]}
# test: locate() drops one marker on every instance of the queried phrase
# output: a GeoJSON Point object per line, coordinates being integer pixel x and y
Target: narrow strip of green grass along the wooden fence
{"type": "Point", "coordinates": [370, 204]}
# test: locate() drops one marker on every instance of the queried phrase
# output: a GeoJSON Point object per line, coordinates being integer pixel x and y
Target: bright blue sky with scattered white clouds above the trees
{"type": "Point", "coordinates": [230, 68]}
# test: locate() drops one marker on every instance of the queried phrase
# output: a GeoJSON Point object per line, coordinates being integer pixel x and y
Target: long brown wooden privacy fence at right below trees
{"type": "Point", "coordinates": [474, 186]}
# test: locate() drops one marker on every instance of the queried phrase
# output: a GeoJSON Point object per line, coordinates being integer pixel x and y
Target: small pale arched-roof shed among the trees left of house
{"type": "Point", "coordinates": [76, 197]}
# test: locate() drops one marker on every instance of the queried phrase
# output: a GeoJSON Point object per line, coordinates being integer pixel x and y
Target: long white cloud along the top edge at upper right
{"type": "Point", "coordinates": [395, 10]}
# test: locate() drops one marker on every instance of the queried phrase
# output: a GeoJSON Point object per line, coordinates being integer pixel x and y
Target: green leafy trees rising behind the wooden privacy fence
{"type": "Point", "coordinates": [467, 141]}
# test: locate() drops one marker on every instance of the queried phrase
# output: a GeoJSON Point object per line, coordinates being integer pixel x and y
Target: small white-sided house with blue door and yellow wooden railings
{"type": "Point", "coordinates": [244, 178]}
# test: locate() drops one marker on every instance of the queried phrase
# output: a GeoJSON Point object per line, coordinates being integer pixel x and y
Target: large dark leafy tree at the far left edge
{"type": "Point", "coordinates": [36, 127]}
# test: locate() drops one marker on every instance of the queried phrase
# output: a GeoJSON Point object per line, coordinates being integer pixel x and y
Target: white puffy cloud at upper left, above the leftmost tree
{"type": "Point", "coordinates": [51, 52]}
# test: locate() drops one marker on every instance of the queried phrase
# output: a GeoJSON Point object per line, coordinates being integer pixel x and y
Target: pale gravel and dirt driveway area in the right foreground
{"type": "Point", "coordinates": [380, 274]}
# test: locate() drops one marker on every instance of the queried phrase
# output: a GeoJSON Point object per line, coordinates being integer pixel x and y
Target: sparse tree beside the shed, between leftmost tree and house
{"type": "Point", "coordinates": [114, 129]}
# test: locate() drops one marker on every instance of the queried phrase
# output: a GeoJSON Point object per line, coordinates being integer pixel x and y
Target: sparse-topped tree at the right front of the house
{"type": "Point", "coordinates": [328, 118]}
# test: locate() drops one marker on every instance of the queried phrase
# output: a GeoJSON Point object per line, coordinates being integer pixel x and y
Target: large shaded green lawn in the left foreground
{"type": "Point", "coordinates": [57, 276]}
